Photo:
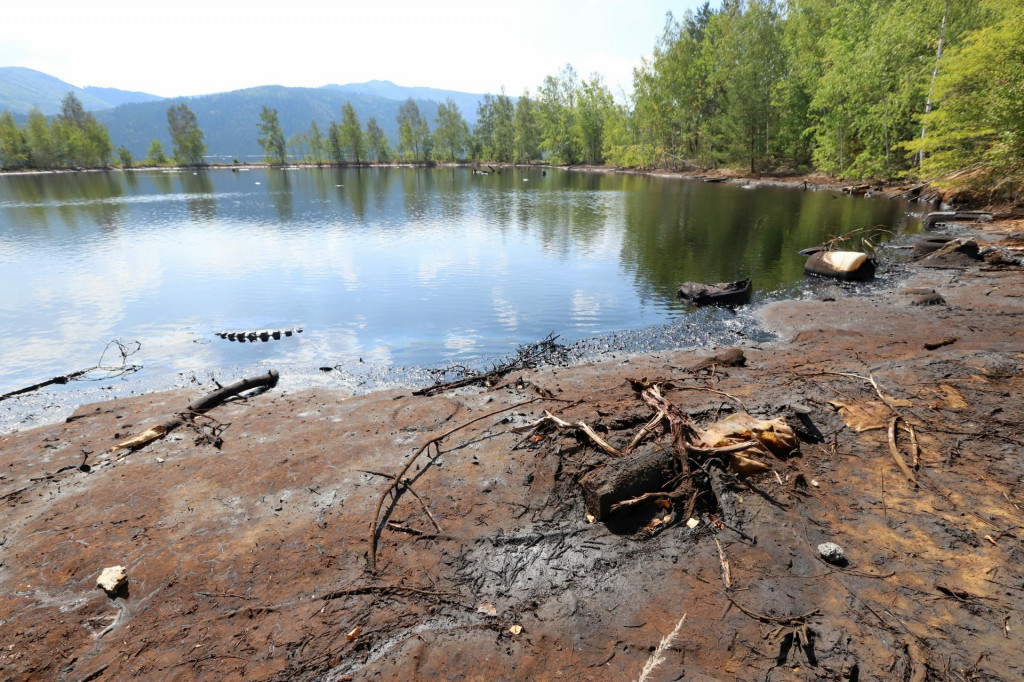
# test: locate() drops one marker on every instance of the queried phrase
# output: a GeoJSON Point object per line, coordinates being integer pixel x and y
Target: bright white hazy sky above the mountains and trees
{"type": "Point", "coordinates": [192, 48]}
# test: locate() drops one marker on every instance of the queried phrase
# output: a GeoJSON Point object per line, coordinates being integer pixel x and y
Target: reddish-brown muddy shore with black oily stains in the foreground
{"type": "Point", "coordinates": [251, 562]}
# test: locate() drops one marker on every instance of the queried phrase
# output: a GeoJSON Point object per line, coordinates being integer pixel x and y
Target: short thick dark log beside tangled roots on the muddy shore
{"type": "Point", "coordinates": [651, 468]}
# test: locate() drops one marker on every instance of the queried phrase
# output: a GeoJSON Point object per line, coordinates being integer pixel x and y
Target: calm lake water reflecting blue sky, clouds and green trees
{"type": "Point", "coordinates": [380, 268]}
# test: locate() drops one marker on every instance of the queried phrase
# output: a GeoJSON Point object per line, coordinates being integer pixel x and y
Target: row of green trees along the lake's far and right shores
{"type": "Point", "coordinates": [857, 89]}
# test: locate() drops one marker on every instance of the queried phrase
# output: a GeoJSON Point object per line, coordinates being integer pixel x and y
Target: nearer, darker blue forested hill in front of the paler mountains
{"type": "Point", "coordinates": [230, 120]}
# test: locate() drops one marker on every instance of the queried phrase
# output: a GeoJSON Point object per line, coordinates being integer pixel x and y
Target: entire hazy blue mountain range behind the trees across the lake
{"type": "Point", "coordinates": [229, 120]}
